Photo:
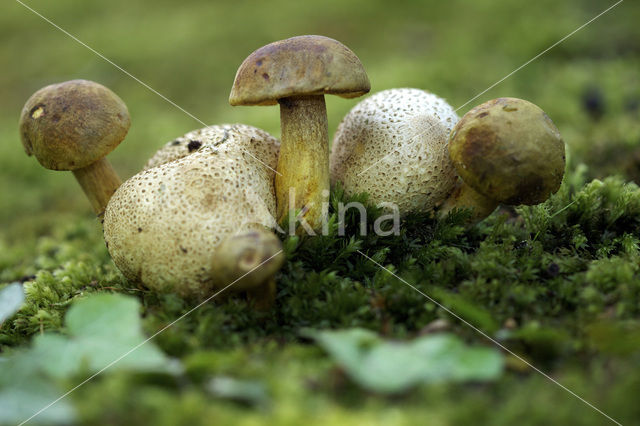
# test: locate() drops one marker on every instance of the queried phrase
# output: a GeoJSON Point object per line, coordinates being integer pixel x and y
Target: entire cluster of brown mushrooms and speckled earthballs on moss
{"type": "Point", "coordinates": [197, 218]}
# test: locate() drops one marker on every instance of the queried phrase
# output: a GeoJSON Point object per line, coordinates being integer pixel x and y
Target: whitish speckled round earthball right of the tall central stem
{"type": "Point", "coordinates": [393, 146]}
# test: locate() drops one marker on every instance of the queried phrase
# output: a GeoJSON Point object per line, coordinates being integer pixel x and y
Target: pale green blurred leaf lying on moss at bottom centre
{"type": "Point", "coordinates": [392, 367]}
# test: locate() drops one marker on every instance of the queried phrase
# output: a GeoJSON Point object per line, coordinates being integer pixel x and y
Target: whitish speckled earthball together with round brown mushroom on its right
{"type": "Point", "coordinates": [406, 147]}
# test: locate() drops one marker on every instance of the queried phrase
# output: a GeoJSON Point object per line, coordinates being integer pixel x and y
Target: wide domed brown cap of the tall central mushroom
{"type": "Point", "coordinates": [304, 65]}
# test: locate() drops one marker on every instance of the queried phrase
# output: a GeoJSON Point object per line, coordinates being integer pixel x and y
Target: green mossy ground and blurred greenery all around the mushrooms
{"type": "Point", "coordinates": [557, 283]}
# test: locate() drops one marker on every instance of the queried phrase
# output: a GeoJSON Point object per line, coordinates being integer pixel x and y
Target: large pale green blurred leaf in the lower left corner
{"type": "Point", "coordinates": [103, 331]}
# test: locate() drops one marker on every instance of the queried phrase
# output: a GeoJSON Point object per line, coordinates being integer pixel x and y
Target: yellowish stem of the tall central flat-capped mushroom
{"type": "Point", "coordinates": [303, 163]}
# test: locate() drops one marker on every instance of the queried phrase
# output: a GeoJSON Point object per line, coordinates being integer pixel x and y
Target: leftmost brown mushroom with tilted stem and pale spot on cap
{"type": "Point", "coordinates": [73, 126]}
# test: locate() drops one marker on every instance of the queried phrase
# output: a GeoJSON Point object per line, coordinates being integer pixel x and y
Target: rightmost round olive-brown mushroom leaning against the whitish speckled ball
{"type": "Point", "coordinates": [506, 151]}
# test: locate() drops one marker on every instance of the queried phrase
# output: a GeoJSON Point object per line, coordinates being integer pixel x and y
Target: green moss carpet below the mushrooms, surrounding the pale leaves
{"type": "Point", "coordinates": [538, 278]}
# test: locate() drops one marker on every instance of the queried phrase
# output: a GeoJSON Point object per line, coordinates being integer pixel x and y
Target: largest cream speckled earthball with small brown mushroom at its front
{"type": "Point", "coordinates": [196, 218]}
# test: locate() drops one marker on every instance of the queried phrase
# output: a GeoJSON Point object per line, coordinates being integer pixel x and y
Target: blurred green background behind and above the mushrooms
{"type": "Point", "coordinates": [189, 52]}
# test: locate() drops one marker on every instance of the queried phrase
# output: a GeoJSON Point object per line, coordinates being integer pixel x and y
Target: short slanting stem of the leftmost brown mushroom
{"type": "Point", "coordinates": [99, 182]}
